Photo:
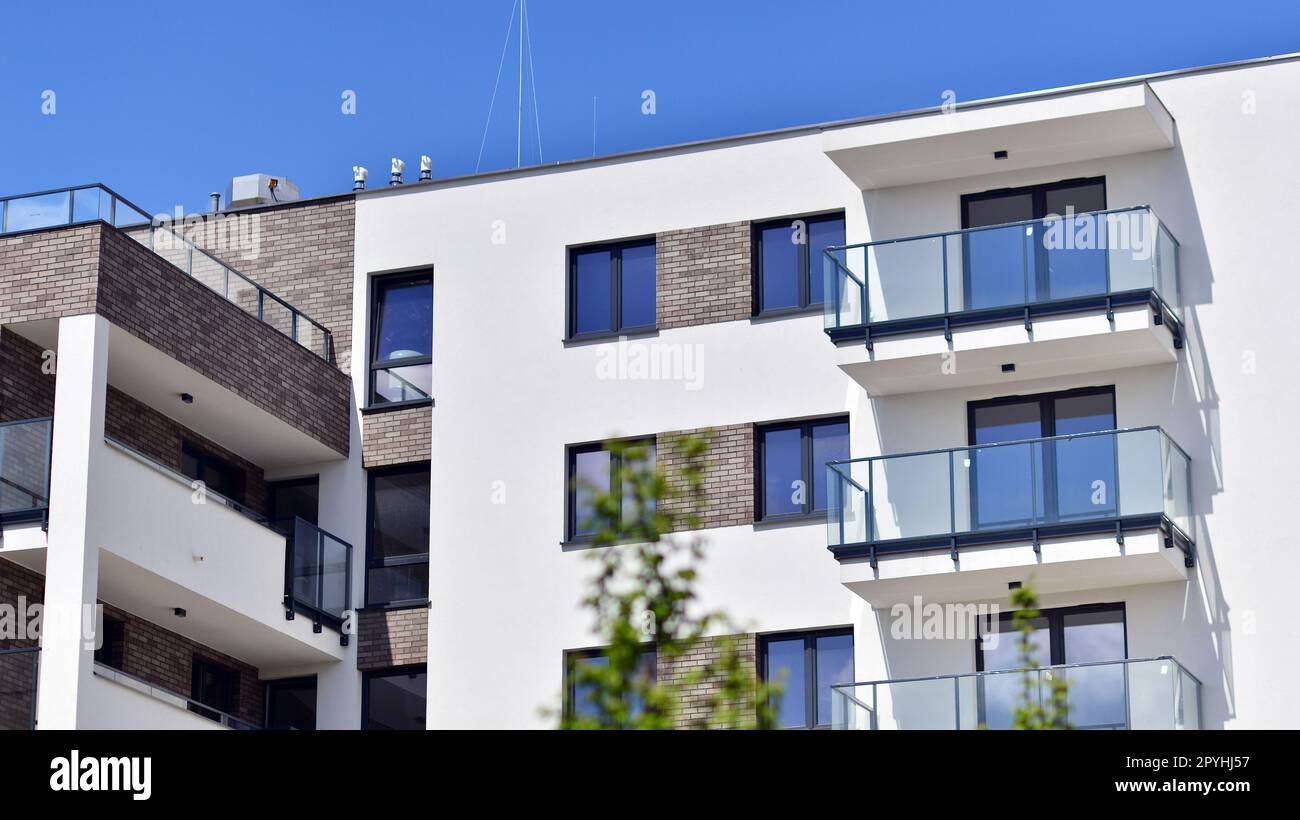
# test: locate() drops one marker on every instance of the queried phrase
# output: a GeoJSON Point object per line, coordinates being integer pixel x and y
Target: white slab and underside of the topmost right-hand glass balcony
{"type": "Point", "coordinates": [1058, 346]}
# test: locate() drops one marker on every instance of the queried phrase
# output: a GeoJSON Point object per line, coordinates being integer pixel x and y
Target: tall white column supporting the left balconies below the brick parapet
{"type": "Point", "coordinates": [72, 558]}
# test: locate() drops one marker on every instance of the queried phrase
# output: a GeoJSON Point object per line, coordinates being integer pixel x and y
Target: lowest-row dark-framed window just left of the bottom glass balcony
{"type": "Point", "coordinates": [807, 666]}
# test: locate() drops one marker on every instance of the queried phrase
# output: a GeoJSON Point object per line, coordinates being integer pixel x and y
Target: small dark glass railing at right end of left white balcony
{"type": "Point", "coordinates": [318, 576]}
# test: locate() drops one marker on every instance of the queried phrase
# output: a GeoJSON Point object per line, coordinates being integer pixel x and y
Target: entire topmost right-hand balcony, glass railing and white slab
{"type": "Point", "coordinates": [1048, 297]}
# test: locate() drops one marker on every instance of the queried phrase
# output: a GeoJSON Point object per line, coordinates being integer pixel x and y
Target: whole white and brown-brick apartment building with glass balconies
{"type": "Point", "coordinates": [943, 354]}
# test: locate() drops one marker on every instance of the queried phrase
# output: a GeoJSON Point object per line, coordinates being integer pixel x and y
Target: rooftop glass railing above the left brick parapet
{"type": "Point", "coordinates": [98, 203]}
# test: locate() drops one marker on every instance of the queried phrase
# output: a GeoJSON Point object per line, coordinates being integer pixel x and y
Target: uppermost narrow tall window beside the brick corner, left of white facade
{"type": "Point", "coordinates": [401, 339]}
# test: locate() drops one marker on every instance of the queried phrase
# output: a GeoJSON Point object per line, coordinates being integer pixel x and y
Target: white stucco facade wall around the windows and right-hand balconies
{"type": "Point", "coordinates": [512, 394]}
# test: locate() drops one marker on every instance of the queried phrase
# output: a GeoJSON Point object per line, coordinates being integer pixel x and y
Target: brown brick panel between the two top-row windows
{"type": "Point", "coordinates": [704, 275]}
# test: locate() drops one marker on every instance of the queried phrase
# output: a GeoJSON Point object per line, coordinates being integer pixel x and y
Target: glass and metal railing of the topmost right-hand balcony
{"type": "Point", "coordinates": [1056, 264]}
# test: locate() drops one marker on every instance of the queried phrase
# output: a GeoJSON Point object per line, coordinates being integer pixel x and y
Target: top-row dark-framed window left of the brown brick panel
{"type": "Point", "coordinates": [612, 289]}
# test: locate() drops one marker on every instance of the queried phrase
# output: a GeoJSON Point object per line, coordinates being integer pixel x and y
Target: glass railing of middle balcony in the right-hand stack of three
{"type": "Point", "coordinates": [1132, 479]}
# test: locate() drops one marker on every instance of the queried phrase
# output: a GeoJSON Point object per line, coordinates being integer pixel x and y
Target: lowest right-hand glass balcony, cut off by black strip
{"type": "Point", "coordinates": [1151, 693]}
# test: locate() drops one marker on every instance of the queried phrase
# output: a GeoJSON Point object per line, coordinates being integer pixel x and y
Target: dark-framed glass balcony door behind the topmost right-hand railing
{"type": "Point", "coordinates": [990, 281]}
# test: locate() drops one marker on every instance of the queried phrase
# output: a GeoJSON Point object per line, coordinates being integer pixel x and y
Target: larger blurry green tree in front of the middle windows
{"type": "Point", "coordinates": [644, 592]}
